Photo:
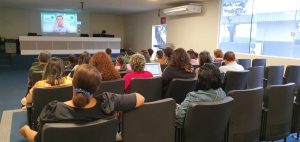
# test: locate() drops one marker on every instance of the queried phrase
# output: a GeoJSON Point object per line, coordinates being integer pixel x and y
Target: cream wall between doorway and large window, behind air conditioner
{"type": "Point", "coordinates": [198, 32]}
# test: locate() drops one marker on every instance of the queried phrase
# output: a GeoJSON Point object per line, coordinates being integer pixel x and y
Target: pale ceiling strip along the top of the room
{"type": "Point", "coordinates": [99, 6]}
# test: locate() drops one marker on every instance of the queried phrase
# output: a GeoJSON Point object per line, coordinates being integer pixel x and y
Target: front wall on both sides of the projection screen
{"type": "Point", "coordinates": [18, 22]}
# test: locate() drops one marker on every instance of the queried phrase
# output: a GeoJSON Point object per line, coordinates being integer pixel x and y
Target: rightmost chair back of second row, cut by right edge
{"type": "Point", "coordinates": [292, 74]}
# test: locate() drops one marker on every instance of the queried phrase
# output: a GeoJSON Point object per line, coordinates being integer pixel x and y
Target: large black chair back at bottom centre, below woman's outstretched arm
{"type": "Point", "coordinates": [152, 122]}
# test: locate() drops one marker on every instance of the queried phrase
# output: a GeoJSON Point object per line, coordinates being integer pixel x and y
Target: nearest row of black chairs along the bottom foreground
{"type": "Point", "coordinates": [238, 118]}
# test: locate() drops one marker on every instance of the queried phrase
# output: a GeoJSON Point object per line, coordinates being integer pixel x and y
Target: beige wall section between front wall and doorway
{"type": "Point", "coordinates": [138, 30]}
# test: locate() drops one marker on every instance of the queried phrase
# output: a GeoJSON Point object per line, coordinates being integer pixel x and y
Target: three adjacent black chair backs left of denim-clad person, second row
{"type": "Point", "coordinates": [177, 88]}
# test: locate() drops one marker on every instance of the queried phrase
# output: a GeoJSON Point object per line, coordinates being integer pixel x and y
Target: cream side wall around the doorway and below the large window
{"type": "Point", "coordinates": [198, 32]}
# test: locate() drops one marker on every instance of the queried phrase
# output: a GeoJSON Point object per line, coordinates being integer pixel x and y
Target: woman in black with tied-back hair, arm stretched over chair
{"type": "Point", "coordinates": [83, 107]}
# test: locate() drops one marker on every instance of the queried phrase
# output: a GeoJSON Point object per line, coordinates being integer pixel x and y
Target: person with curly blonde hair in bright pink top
{"type": "Point", "coordinates": [137, 63]}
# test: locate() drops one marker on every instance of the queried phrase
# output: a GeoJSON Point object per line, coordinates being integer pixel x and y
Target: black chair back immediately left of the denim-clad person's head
{"type": "Point", "coordinates": [179, 88]}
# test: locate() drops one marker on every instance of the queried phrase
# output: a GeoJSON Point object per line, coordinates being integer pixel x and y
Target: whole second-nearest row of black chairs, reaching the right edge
{"type": "Point", "coordinates": [251, 78]}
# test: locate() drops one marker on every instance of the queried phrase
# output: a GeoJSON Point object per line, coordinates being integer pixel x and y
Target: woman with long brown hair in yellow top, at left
{"type": "Point", "coordinates": [53, 76]}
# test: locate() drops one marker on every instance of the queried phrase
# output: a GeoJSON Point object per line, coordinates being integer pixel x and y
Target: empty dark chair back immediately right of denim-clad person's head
{"type": "Point", "coordinates": [235, 80]}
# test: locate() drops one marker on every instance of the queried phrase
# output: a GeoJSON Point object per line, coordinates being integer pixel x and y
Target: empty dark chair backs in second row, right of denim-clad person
{"type": "Point", "coordinates": [261, 77]}
